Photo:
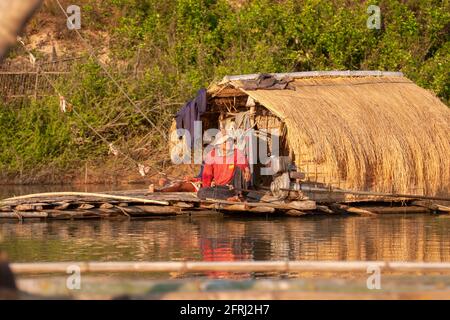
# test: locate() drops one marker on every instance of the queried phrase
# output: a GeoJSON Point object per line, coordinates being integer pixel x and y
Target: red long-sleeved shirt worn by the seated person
{"type": "Point", "coordinates": [221, 168]}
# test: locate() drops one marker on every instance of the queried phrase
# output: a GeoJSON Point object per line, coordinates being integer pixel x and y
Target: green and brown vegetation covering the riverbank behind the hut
{"type": "Point", "coordinates": [161, 52]}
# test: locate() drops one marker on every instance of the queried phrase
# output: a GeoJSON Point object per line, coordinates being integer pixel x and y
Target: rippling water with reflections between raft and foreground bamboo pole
{"type": "Point", "coordinates": [399, 238]}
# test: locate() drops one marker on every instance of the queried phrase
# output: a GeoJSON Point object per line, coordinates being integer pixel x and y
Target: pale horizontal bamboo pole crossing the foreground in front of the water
{"type": "Point", "coordinates": [235, 266]}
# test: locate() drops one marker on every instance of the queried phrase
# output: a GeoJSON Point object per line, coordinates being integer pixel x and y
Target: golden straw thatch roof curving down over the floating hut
{"type": "Point", "coordinates": [376, 131]}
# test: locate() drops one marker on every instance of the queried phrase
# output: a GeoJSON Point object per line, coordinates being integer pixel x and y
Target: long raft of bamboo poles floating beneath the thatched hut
{"type": "Point", "coordinates": [141, 204]}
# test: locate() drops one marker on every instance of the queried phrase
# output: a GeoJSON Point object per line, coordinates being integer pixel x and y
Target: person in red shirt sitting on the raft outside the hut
{"type": "Point", "coordinates": [226, 167]}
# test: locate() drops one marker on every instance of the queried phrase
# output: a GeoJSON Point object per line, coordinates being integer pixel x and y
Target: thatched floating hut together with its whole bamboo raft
{"type": "Point", "coordinates": [354, 142]}
